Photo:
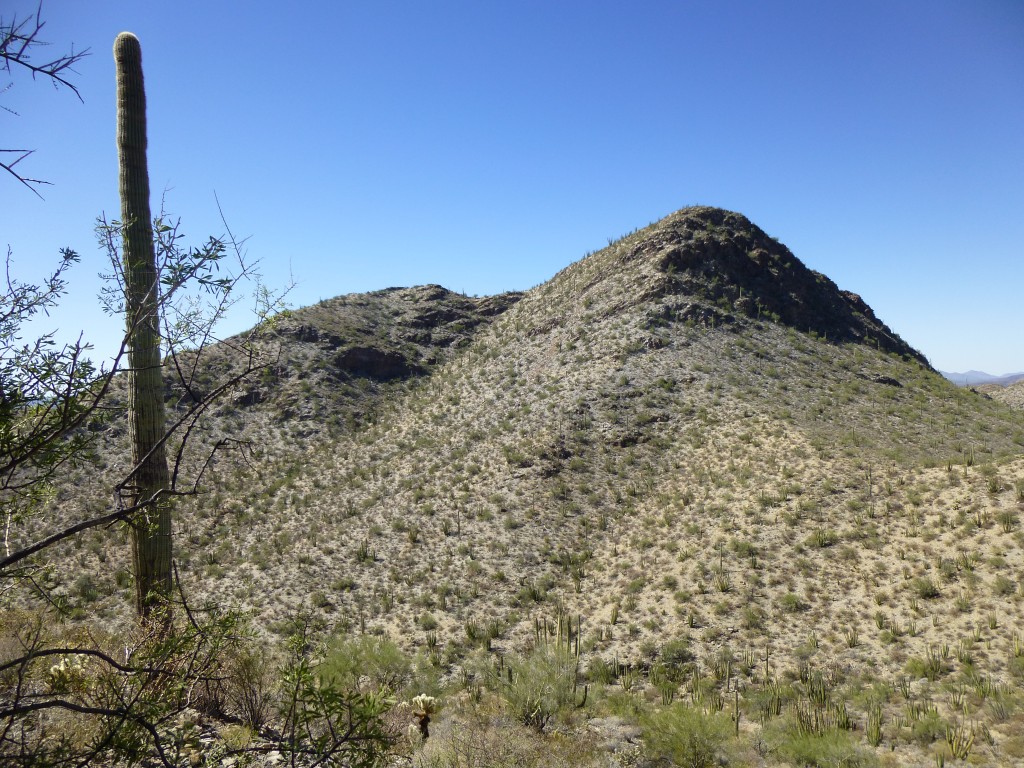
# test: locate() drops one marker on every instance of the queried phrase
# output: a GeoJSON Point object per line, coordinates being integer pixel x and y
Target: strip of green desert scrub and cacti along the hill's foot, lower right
{"type": "Point", "coordinates": [734, 709]}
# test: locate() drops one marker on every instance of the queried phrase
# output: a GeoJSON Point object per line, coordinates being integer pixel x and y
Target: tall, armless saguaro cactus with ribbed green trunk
{"type": "Point", "coordinates": [147, 421]}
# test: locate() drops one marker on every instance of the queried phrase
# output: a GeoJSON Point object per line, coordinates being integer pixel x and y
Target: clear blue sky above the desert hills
{"type": "Point", "coordinates": [485, 146]}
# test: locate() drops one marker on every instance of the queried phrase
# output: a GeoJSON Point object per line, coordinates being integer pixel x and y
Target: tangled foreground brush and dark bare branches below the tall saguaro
{"type": "Point", "coordinates": [125, 697]}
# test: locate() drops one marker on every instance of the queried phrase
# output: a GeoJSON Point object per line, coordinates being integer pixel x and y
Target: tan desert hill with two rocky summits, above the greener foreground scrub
{"type": "Point", "coordinates": [688, 437]}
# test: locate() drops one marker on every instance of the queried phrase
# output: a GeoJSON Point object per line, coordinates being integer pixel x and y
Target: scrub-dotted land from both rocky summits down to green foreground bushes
{"type": "Point", "coordinates": [770, 551]}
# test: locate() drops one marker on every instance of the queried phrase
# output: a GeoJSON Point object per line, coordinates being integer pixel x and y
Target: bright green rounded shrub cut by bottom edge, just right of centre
{"type": "Point", "coordinates": [687, 737]}
